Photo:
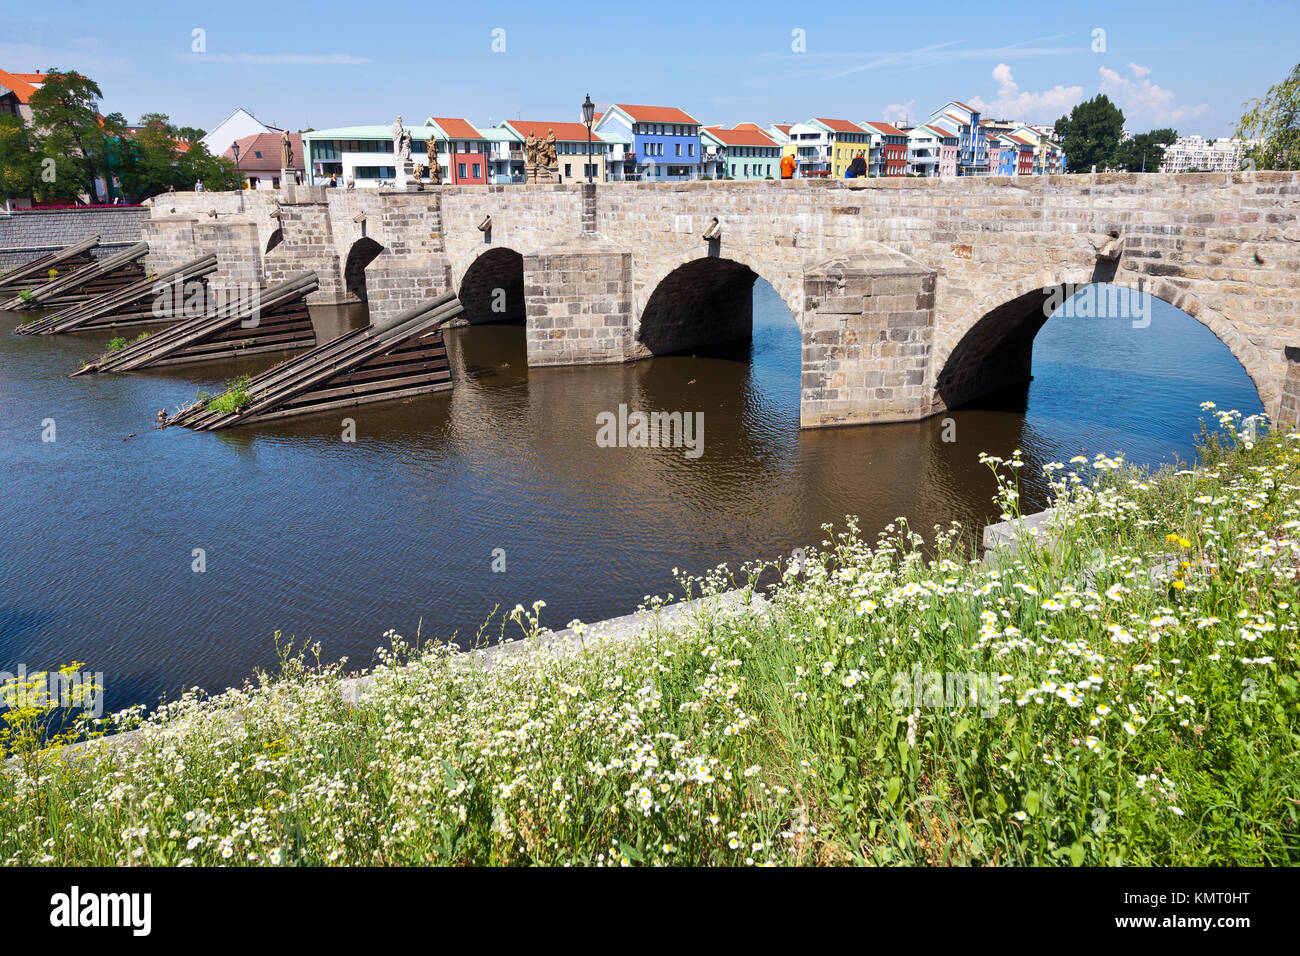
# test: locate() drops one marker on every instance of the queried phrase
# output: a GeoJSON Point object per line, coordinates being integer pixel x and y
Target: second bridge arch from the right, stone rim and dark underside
{"type": "Point", "coordinates": [701, 301]}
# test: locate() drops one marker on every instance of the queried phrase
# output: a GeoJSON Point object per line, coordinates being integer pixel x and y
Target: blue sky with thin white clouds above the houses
{"type": "Point", "coordinates": [1189, 64]}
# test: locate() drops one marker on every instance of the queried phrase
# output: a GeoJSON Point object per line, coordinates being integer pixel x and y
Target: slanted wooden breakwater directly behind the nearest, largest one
{"type": "Point", "coordinates": [275, 319]}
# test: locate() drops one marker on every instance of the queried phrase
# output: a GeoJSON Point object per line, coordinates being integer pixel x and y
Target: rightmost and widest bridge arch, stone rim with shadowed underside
{"type": "Point", "coordinates": [990, 347]}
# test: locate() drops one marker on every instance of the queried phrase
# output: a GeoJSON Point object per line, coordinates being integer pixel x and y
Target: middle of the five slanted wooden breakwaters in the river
{"type": "Point", "coordinates": [132, 305]}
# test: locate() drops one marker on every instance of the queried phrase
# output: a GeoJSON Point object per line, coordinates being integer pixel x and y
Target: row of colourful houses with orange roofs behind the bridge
{"type": "Point", "coordinates": [631, 142]}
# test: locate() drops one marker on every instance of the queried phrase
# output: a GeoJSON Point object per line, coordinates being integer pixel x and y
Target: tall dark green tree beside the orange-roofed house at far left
{"type": "Point", "coordinates": [67, 119]}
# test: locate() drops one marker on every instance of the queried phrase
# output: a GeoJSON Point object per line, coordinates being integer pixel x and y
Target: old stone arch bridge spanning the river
{"type": "Point", "coordinates": [912, 296]}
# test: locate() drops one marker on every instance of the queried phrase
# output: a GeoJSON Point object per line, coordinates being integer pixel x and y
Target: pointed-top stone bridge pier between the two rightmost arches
{"type": "Point", "coordinates": [868, 335]}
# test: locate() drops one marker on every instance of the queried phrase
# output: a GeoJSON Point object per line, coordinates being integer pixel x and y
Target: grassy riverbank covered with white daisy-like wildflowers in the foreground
{"type": "Point", "coordinates": [891, 706]}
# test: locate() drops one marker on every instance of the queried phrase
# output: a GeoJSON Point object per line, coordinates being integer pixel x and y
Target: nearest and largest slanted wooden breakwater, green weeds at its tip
{"type": "Point", "coordinates": [397, 358]}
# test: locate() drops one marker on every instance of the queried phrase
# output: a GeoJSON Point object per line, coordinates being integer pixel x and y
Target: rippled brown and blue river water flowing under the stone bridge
{"type": "Point", "coordinates": [495, 494]}
